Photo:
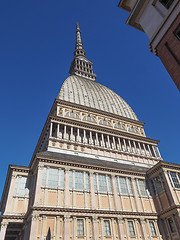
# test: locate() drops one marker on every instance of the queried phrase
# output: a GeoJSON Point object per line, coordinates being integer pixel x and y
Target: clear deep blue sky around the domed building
{"type": "Point", "coordinates": [36, 49]}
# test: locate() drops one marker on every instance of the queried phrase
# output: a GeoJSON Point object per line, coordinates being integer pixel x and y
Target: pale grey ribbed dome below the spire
{"type": "Point", "coordinates": [82, 91]}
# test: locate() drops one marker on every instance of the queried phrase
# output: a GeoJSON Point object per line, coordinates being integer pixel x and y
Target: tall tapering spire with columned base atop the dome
{"type": "Point", "coordinates": [80, 65]}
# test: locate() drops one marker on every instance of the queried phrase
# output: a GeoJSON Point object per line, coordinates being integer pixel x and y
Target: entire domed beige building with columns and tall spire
{"type": "Point", "coordinates": [94, 174]}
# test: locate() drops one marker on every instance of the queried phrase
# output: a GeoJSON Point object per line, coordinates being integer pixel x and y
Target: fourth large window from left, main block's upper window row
{"type": "Point", "coordinates": [123, 185]}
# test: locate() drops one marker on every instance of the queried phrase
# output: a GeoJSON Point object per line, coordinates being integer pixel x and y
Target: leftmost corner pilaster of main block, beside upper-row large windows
{"type": "Point", "coordinates": [38, 185]}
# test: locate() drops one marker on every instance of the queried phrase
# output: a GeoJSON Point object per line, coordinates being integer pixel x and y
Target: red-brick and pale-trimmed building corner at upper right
{"type": "Point", "coordinates": [160, 20]}
